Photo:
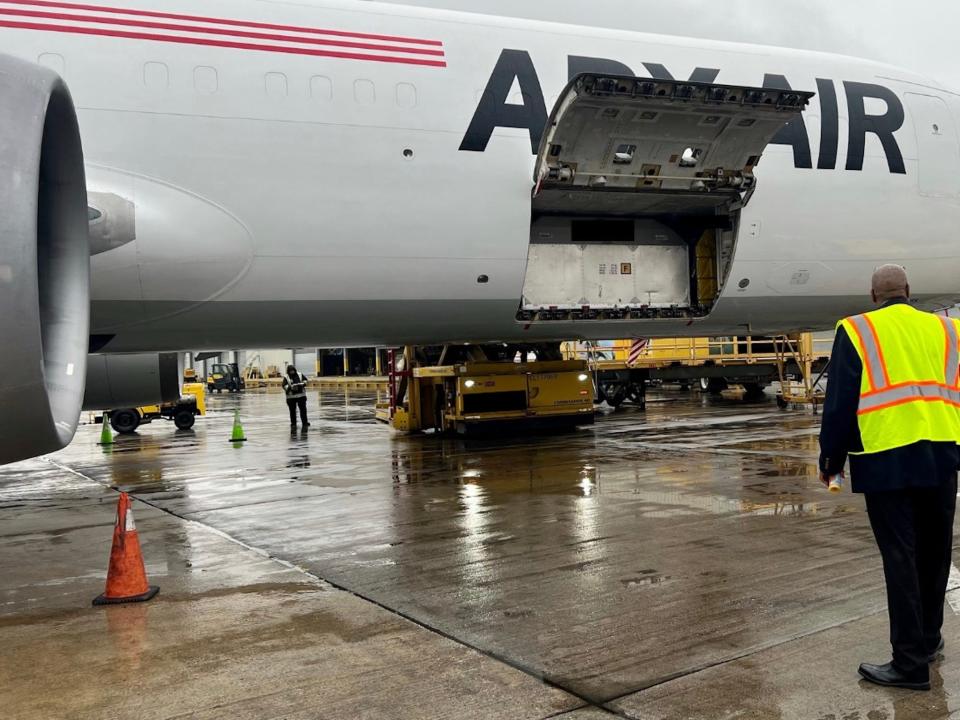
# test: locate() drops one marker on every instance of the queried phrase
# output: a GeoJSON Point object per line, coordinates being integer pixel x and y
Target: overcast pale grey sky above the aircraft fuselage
{"type": "Point", "coordinates": [920, 35]}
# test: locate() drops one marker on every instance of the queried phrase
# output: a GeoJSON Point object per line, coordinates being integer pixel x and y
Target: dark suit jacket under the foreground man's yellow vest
{"type": "Point", "coordinates": [923, 464]}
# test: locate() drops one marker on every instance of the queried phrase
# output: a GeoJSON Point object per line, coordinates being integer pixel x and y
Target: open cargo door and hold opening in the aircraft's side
{"type": "Point", "coordinates": [639, 187]}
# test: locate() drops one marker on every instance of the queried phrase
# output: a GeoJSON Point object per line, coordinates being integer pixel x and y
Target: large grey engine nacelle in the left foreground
{"type": "Point", "coordinates": [44, 262]}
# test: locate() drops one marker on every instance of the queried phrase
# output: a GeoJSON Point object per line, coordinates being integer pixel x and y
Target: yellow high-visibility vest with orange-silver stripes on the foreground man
{"type": "Point", "coordinates": [910, 386]}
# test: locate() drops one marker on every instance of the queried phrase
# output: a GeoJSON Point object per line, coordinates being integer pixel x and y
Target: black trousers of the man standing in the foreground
{"type": "Point", "coordinates": [914, 531]}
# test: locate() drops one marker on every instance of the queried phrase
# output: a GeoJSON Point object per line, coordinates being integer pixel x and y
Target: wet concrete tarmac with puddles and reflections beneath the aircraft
{"type": "Point", "coordinates": [678, 563]}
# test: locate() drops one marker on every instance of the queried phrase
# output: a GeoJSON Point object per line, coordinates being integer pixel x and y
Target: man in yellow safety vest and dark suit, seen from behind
{"type": "Point", "coordinates": [893, 404]}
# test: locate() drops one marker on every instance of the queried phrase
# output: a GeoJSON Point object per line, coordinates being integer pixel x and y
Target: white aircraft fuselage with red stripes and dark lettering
{"type": "Point", "coordinates": [290, 199]}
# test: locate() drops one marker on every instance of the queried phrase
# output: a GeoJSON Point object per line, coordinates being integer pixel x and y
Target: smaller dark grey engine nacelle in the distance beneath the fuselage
{"type": "Point", "coordinates": [125, 381]}
